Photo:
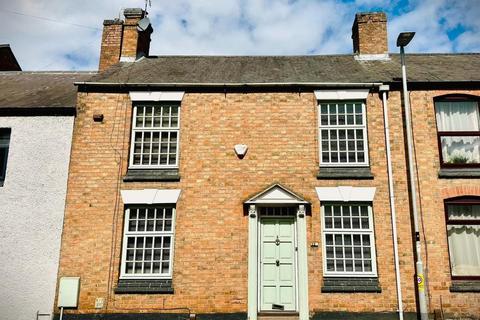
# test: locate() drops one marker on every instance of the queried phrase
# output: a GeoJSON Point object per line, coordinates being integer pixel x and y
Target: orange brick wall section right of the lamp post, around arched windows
{"type": "Point", "coordinates": [432, 192]}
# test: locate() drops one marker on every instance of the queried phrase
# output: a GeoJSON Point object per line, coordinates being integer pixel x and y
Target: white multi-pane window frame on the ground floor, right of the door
{"type": "Point", "coordinates": [370, 231]}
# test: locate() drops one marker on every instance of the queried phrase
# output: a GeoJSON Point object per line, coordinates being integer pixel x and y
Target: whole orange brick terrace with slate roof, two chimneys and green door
{"type": "Point", "coordinates": [244, 187]}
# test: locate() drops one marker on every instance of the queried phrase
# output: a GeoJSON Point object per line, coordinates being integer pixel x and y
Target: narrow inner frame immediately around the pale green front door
{"type": "Point", "coordinates": [259, 255]}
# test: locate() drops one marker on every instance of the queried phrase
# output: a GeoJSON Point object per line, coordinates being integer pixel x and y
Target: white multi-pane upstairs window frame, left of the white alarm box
{"type": "Point", "coordinates": [151, 130]}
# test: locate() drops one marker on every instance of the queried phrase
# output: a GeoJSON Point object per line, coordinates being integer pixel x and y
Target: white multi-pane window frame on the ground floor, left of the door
{"type": "Point", "coordinates": [126, 234]}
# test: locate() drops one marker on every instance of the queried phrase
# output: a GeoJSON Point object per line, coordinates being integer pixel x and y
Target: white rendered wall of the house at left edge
{"type": "Point", "coordinates": [32, 203]}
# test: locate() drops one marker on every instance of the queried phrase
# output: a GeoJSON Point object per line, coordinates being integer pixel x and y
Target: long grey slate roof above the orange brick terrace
{"type": "Point", "coordinates": [202, 70]}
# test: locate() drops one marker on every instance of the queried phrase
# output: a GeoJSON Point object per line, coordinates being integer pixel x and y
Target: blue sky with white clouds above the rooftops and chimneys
{"type": "Point", "coordinates": [66, 34]}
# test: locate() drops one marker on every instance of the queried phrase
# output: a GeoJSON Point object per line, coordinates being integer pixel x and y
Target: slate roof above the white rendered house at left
{"type": "Point", "coordinates": [39, 89]}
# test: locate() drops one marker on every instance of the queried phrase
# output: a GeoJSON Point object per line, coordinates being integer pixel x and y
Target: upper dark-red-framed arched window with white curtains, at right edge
{"type": "Point", "coordinates": [458, 129]}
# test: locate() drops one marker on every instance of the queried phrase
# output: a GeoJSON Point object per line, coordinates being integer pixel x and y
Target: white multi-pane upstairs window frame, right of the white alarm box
{"type": "Point", "coordinates": [366, 161]}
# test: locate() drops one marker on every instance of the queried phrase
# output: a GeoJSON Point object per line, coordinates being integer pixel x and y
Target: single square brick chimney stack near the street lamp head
{"type": "Point", "coordinates": [369, 35]}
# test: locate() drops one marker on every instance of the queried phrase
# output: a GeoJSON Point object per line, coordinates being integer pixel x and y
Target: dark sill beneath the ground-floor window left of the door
{"type": "Point", "coordinates": [144, 286]}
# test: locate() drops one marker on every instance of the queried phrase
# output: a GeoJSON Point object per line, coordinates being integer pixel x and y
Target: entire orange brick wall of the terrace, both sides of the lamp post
{"type": "Point", "coordinates": [210, 262]}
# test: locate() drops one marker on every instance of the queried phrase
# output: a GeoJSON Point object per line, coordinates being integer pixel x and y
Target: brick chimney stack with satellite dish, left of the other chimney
{"type": "Point", "coordinates": [123, 40]}
